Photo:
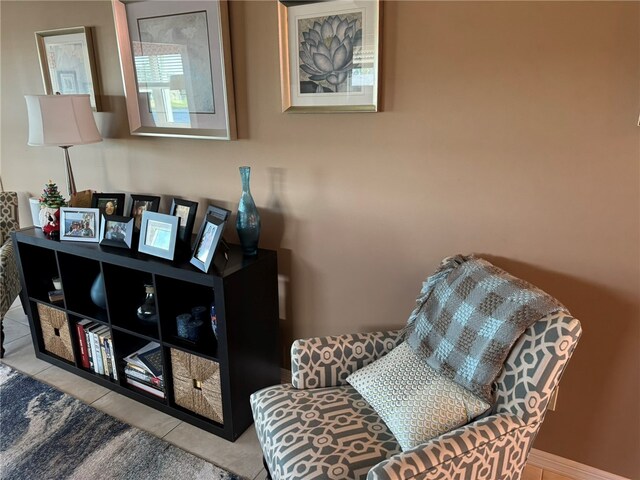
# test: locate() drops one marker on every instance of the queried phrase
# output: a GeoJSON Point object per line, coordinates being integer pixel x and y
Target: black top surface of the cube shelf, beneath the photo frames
{"type": "Point", "coordinates": [220, 268]}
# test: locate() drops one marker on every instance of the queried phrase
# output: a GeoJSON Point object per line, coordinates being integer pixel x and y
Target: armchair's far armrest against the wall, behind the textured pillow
{"type": "Point", "coordinates": [328, 361]}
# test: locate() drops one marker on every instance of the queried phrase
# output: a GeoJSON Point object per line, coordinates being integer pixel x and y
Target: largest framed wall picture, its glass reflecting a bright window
{"type": "Point", "coordinates": [175, 57]}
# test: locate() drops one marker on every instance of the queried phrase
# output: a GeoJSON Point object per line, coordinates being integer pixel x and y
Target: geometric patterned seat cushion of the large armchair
{"type": "Point", "coordinates": [322, 433]}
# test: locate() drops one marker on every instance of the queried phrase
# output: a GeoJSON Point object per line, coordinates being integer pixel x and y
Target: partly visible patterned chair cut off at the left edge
{"type": "Point", "coordinates": [9, 278]}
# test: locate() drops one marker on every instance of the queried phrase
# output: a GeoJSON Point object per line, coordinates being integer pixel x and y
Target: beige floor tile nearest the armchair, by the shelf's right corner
{"type": "Point", "coordinates": [243, 457]}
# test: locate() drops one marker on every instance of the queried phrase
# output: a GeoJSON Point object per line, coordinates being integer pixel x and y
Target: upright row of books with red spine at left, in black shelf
{"type": "Point", "coordinates": [96, 348]}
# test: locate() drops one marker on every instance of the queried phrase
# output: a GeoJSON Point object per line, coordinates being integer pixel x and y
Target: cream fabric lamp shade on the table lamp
{"type": "Point", "coordinates": [61, 120]}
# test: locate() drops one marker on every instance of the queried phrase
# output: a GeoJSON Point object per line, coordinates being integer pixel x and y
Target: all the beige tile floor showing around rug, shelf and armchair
{"type": "Point", "coordinates": [242, 457]}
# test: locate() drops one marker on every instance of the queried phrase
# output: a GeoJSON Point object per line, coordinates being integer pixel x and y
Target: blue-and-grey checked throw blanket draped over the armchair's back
{"type": "Point", "coordinates": [468, 316]}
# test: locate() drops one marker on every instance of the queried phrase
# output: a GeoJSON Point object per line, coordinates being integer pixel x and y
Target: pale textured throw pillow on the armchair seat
{"type": "Point", "coordinates": [415, 401]}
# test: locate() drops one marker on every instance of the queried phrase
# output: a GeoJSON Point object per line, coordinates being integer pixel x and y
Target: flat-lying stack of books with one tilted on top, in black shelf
{"type": "Point", "coordinates": [143, 370]}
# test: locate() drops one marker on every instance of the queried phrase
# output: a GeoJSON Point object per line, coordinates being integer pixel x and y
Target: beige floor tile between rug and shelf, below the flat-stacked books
{"type": "Point", "coordinates": [136, 414]}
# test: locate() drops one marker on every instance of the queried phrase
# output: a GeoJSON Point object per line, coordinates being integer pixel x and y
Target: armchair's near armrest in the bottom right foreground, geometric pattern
{"type": "Point", "coordinates": [495, 447]}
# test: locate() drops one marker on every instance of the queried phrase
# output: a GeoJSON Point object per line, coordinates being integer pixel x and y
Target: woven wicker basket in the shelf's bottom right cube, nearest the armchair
{"type": "Point", "coordinates": [196, 384]}
